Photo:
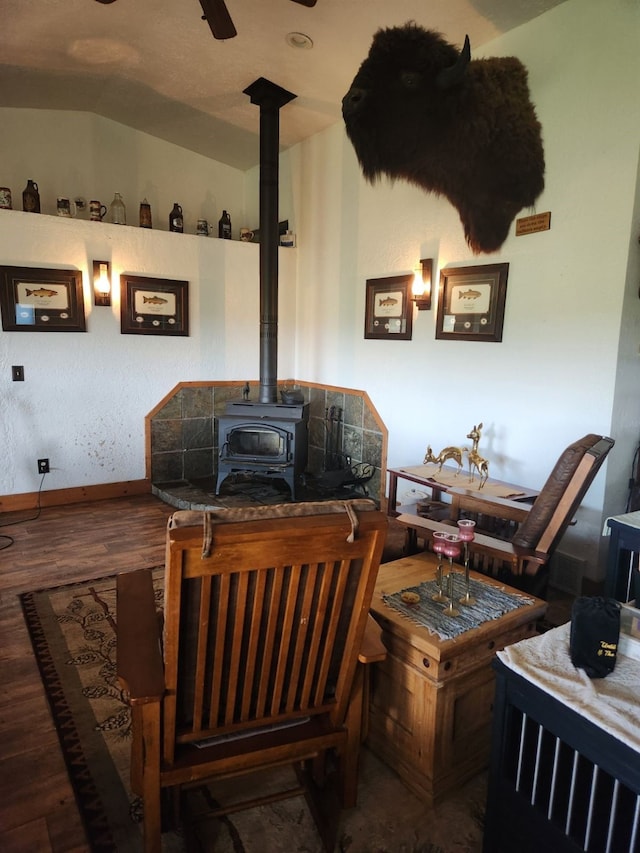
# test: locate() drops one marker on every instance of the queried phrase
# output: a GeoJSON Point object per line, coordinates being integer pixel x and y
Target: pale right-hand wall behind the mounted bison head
{"type": "Point", "coordinates": [553, 378]}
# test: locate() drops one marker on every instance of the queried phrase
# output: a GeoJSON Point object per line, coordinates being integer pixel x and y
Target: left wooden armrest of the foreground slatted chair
{"type": "Point", "coordinates": [139, 655]}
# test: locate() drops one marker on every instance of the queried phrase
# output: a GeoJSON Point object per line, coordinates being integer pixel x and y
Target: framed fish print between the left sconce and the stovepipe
{"type": "Point", "coordinates": [153, 306]}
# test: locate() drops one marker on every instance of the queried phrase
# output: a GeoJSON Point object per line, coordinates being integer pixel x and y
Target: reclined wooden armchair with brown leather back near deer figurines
{"type": "Point", "coordinates": [523, 560]}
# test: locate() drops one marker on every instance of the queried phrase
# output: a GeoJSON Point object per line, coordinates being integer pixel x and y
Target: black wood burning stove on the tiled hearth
{"type": "Point", "coordinates": [270, 439]}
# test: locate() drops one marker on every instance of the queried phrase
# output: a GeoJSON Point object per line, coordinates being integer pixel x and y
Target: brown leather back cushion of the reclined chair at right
{"type": "Point", "coordinates": [545, 504]}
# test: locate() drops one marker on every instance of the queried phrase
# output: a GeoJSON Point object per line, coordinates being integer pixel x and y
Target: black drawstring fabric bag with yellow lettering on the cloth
{"type": "Point", "coordinates": [595, 631]}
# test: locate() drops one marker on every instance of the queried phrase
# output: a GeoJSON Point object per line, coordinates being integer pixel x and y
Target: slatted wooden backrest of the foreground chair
{"type": "Point", "coordinates": [266, 627]}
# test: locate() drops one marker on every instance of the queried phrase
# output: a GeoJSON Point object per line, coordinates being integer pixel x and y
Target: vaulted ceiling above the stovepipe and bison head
{"type": "Point", "coordinates": [154, 65]}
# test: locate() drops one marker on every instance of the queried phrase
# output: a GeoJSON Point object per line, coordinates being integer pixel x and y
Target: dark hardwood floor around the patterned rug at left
{"type": "Point", "coordinates": [64, 544]}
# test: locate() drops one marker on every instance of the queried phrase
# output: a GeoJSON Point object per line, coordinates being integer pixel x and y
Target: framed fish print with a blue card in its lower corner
{"type": "Point", "coordinates": [41, 300]}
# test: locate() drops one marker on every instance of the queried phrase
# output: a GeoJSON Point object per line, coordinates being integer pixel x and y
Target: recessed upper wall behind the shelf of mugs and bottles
{"type": "Point", "coordinates": [78, 154]}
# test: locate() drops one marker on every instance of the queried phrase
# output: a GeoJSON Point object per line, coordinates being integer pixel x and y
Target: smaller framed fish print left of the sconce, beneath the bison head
{"type": "Point", "coordinates": [389, 308]}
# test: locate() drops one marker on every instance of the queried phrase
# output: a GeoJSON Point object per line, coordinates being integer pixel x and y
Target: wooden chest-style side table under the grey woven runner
{"type": "Point", "coordinates": [431, 699]}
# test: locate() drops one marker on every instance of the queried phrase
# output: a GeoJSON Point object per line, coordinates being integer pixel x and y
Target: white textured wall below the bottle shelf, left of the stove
{"type": "Point", "coordinates": [85, 395]}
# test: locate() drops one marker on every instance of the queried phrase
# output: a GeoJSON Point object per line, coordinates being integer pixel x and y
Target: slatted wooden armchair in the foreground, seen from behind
{"type": "Point", "coordinates": [265, 622]}
